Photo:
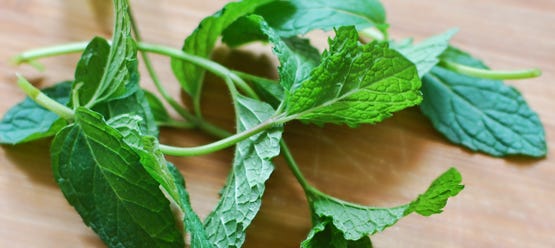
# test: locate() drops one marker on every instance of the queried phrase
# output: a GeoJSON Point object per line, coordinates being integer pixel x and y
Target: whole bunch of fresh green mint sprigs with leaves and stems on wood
{"type": "Point", "coordinates": [108, 162]}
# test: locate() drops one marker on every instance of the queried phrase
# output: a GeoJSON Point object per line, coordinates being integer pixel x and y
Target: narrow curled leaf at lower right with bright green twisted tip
{"type": "Point", "coordinates": [355, 221]}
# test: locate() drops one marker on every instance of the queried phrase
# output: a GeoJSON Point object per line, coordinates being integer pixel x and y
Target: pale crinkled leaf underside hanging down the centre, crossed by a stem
{"type": "Point", "coordinates": [252, 166]}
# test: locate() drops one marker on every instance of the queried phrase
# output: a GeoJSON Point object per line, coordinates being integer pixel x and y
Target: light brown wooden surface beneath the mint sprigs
{"type": "Point", "coordinates": [506, 203]}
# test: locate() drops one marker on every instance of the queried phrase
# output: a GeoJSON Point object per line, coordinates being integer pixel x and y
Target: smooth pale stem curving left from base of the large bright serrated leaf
{"type": "Point", "coordinates": [218, 145]}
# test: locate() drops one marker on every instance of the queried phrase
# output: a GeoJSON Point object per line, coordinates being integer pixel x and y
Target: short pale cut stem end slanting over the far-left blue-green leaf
{"type": "Point", "coordinates": [43, 99]}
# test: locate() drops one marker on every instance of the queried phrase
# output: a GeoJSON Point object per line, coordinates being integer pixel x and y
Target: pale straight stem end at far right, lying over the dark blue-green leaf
{"type": "Point", "coordinates": [491, 74]}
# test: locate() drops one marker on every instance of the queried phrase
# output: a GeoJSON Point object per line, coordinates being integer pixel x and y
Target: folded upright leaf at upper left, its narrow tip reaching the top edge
{"type": "Point", "coordinates": [104, 72]}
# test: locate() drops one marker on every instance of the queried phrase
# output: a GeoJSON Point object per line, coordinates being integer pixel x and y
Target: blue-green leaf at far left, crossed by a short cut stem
{"type": "Point", "coordinates": [28, 121]}
